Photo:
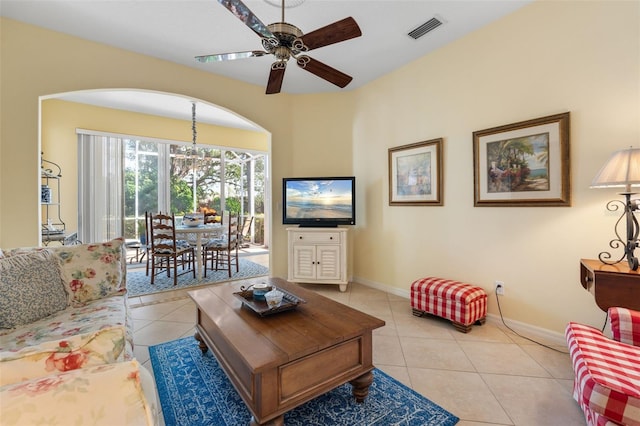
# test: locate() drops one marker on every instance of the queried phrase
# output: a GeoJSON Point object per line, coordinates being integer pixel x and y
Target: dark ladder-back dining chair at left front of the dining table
{"type": "Point", "coordinates": [166, 253]}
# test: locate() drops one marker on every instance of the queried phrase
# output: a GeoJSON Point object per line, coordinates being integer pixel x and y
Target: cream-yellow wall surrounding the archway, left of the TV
{"type": "Point", "coordinates": [36, 62]}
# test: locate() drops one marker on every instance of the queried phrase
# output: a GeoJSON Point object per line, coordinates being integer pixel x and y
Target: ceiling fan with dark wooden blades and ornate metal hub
{"type": "Point", "coordinates": [285, 41]}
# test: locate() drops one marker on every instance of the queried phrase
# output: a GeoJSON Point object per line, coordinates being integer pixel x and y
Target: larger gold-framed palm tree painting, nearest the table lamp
{"type": "Point", "coordinates": [523, 164]}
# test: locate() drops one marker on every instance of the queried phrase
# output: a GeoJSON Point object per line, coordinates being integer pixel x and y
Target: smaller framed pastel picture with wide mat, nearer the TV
{"type": "Point", "coordinates": [415, 174]}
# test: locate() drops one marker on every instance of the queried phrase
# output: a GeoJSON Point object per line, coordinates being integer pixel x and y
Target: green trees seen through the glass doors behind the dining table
{"type": "Point", "coordinates": [142, 161]}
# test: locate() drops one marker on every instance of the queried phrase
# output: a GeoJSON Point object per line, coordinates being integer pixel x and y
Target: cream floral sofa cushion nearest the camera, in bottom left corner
{"type": "Point", "coordinates": [103, 395]}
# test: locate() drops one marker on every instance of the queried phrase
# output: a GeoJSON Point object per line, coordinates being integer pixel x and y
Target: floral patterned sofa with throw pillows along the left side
{"type": "Point", "coordinates": [65, 331]}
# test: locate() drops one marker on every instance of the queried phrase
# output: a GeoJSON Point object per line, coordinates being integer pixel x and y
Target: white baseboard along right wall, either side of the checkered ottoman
{"type": "Point", "coordinates": [529, 330]}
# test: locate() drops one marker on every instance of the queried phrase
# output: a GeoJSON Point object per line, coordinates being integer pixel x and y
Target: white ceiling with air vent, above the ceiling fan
{"type": "Point", "coordinates": [178, 30]}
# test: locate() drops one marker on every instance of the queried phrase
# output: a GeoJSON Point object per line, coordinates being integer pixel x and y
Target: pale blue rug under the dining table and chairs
{"type": "Point", "coordinates": [138, 283]}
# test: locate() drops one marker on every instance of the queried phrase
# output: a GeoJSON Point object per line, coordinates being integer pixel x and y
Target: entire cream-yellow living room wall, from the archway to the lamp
{"type": "Point", "coordinates": [546, 58]}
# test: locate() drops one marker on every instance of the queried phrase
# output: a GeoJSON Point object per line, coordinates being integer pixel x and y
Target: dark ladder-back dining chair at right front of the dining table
{"type": "Point", "coordinates": [223, 251]}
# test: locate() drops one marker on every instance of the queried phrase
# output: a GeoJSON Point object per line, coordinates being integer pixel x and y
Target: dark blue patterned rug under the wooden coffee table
{"type": "Point", "coordinates": [195, 391]}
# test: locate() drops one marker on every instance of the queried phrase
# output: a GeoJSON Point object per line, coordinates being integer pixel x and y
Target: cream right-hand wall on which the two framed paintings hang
{"type": "Point", "coordinates": [547, 58]}
